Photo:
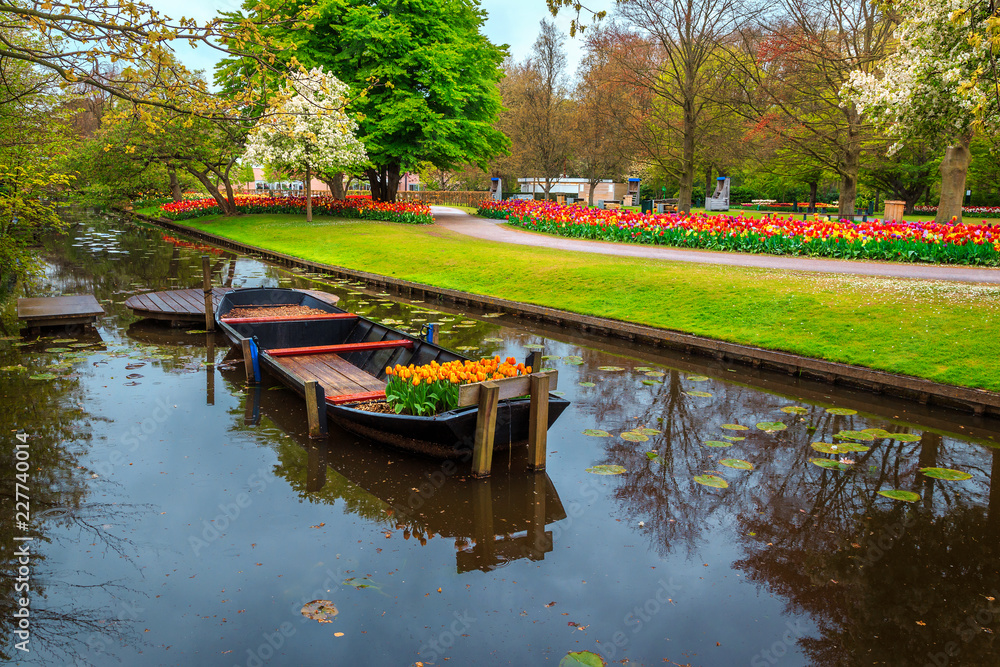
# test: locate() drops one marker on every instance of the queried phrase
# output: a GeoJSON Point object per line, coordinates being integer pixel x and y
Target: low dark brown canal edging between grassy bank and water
{"type": "Point", "coordinates": [977, 401]}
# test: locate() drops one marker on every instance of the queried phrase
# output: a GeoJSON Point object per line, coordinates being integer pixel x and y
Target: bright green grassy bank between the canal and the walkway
{"type": "Point", "coordinates": [945, 332]}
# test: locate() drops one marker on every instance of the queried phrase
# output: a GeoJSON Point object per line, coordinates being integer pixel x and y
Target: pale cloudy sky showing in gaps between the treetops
{"type": "Point", "coordinates": [513, 22]}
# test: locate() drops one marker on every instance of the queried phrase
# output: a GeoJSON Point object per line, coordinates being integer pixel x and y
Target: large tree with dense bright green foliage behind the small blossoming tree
{"type": "Point", "coordinates": [422, 76]}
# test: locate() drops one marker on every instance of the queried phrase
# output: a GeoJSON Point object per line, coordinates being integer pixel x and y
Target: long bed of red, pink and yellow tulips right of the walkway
{"type": "Point", "coordinates": [775, 235]}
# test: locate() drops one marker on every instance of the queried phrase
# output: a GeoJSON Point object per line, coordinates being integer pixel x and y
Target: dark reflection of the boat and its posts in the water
{"type": "Point", "coordinates": [493, 521]}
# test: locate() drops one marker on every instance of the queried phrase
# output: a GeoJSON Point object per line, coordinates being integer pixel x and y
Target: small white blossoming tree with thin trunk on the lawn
{"type": "Point", "coordinates": [305, 129]}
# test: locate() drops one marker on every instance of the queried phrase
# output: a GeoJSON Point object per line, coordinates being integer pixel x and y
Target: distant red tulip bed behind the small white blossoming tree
{"type": "Point", "coordinates": [352, 207]}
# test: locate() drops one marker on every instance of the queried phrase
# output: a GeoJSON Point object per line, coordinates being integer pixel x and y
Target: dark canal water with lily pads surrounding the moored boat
{"type": "Point", "coordinates": [182, 518]}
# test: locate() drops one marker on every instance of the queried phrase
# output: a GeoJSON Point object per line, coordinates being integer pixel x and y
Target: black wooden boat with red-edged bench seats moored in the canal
{"type": "Point", "coordinates": [347, 354]}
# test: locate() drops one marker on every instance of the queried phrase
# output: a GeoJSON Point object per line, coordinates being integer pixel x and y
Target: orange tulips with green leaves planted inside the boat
{"type": "Point", "coordinates": [433, 388]}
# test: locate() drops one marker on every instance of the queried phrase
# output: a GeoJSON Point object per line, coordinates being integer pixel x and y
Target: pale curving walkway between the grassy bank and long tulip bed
{"type": "Point", "coordinates": [493, 230]}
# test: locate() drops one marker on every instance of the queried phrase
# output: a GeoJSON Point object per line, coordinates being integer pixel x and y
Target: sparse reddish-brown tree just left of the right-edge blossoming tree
{"type": "Point", "coordinates": [794, 62]}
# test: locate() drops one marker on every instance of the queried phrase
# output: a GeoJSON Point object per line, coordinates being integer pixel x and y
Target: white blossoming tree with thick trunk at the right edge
{"type": "Point", "coordinates": [940, 87]}
